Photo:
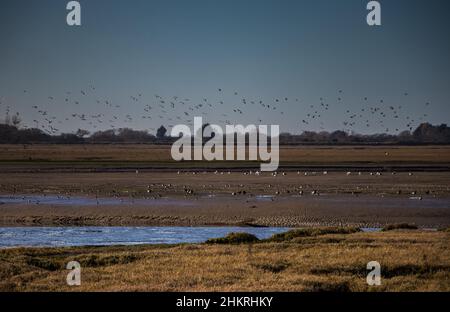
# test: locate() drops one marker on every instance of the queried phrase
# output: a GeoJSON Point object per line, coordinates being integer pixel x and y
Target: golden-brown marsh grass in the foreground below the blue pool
{"type": "Point", "coordinates": [410, 261]}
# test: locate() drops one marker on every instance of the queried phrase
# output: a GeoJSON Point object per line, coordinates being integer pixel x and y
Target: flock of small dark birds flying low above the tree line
{"type": "Point", "coordinates": [160, 110]}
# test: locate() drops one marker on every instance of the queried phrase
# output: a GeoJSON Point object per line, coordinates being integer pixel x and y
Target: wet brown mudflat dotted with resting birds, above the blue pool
{"type": "Point", "coordinates": [195, 198]}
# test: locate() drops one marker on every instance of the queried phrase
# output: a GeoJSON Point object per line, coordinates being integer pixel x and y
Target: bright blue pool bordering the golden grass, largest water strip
{"type": "Point", "coordinates": [105, 236]}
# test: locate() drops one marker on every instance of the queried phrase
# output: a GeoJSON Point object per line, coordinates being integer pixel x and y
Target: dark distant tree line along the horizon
{"type": "Point", "coordinates": [424, 134]}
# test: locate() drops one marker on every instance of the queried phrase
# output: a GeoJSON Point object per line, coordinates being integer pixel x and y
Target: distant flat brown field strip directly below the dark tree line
{"type": "Point", "coordinates": [142, 155]}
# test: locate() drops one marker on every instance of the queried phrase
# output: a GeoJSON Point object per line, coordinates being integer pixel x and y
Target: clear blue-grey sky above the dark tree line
{"type": "Point", "coordinates": [305, 65]}
